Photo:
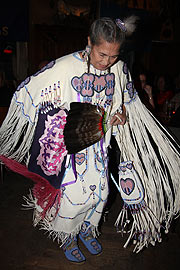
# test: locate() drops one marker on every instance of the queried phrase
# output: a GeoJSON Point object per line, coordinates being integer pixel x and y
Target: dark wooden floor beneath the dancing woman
{"type": "Point", "coordinates": [23, 247]}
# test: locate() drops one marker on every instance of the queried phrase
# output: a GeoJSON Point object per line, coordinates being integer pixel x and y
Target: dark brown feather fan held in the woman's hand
{"type": "Point", "coordinates": [86, 125]}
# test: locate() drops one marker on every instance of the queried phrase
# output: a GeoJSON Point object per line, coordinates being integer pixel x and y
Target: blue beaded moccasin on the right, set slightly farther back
{"type": "Point", "coordinates": [88, 239]}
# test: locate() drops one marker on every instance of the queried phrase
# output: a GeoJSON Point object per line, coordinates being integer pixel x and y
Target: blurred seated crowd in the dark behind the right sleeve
{"type": "Point", "coordinates": [160, 93]}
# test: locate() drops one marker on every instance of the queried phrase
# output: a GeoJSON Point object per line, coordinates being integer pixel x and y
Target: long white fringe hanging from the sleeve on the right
{"type": "Point", "coordinates": [156, 158]}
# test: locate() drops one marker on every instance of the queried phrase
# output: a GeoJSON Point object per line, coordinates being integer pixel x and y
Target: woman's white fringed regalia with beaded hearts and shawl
{"type": "Point", "coordinates": [70, 189]}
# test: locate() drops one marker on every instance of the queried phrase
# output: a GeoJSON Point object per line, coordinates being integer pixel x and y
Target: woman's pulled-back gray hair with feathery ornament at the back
{"type": "Point", "coordinates": [107, 29]}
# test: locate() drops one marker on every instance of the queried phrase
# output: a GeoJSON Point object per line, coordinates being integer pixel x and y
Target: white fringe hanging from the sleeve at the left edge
{"type": "Point", "coordinates": [16, 134]}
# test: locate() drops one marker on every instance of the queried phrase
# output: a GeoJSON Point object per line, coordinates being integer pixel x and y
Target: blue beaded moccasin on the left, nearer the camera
{"type": "Point", "coordinates": [72, 251]}
